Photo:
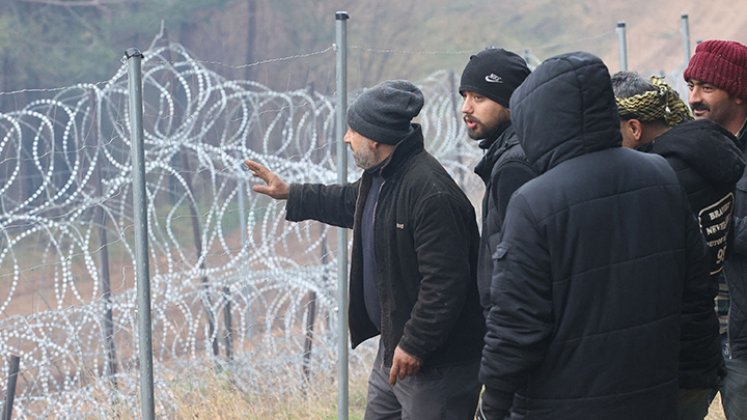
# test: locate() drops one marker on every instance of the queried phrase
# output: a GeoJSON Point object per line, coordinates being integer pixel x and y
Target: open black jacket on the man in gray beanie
{"type": "Point", "coordinates": [425, 239]}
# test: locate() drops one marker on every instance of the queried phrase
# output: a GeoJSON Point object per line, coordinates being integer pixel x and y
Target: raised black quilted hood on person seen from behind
{"type": "Point", "coordinates": [564, 109]}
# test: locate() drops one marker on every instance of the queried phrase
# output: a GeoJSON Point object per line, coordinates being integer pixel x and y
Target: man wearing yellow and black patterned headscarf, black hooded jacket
{"type": "Point", "coordinates": [708, 164]}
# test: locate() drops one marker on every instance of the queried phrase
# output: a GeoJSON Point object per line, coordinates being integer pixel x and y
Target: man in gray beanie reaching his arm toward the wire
{"type": "Point", "coordinates": [412, 274]}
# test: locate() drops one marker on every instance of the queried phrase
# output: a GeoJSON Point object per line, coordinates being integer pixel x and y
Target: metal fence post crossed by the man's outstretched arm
{"type": "Point", "coordinates": [342, 233]}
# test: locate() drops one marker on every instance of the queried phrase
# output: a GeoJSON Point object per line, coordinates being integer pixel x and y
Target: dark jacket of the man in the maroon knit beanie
{"type": "Point", "coordinates": [736, 267]}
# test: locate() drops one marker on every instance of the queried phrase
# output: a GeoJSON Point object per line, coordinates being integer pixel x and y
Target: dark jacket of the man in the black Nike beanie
{"type": "Point", "coordinates": [504, 168]}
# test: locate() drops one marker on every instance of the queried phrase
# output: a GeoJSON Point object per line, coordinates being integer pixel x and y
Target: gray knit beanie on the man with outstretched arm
{"type": "Point", "coordinates": [383, 112]}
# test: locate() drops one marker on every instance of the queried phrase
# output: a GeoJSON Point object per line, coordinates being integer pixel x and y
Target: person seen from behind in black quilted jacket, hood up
{"type": "Point", "coordinates": [600, 266]}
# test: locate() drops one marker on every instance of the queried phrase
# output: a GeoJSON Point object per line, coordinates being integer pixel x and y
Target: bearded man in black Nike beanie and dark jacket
{"type": "Point", "coordinates": [488, 81]}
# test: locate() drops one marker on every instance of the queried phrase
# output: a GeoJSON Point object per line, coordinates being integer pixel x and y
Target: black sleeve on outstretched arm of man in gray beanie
{"type": "Point", "coordinates": [330, 204]}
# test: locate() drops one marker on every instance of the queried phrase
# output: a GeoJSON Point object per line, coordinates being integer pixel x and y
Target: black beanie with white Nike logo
{"type": "Point", "coordinates": [494, 73]}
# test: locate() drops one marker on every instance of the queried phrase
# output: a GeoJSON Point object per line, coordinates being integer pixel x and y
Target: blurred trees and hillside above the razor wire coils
{"type": "Point", "coordinates": [55, 43]}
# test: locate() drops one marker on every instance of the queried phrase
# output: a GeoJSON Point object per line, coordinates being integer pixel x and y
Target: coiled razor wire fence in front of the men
{"type": "Point", "coordinates": [231, 279]}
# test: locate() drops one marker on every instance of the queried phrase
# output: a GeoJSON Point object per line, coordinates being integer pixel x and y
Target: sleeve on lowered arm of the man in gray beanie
{"type": "Point", "coordinates": [444, 233]}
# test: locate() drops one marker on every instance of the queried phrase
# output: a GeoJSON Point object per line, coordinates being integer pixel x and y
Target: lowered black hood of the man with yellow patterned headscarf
{"type": "Point", "coordinates": [705, 146]}
